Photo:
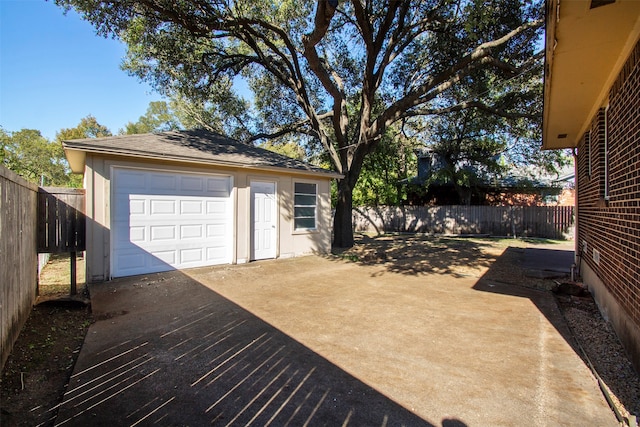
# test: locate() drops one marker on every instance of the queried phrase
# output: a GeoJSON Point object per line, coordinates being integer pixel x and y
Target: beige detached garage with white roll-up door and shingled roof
{"type": "Point", "coordinates": [174, 200]}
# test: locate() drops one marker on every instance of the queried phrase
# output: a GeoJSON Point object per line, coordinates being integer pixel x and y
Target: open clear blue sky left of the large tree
{"type": "Point", "coordinates": [54, 70]}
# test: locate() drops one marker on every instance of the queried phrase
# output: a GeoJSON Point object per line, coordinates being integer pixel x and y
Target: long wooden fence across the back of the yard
{"type": "Point", "coordinates": [551, 222]}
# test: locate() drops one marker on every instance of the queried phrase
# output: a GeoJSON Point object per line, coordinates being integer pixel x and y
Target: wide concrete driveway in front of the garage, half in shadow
{"type": "Point", "coordinates": [321, 341]}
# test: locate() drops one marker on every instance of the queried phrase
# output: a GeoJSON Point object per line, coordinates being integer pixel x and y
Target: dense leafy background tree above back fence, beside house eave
{"type": "Point", "coordinates": [474, 145]}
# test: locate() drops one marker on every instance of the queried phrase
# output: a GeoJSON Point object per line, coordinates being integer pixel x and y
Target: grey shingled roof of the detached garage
{"type": "Point", "coordinates": [192, 146]}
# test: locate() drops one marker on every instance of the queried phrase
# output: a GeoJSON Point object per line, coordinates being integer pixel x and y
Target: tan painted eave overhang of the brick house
{"type": "Point", "coordinates": [587, 43]}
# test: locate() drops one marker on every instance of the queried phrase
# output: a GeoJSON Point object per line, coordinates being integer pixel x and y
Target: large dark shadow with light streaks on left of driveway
{"type": "Point", "coordinates": [167, 350]}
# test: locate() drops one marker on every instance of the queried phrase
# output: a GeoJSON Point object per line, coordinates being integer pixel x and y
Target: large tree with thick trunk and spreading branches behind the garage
{"type": "Point", "coordinates": [338, 73]}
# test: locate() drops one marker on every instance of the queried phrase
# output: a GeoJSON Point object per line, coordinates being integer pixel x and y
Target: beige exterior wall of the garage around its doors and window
{"type": "Point", "coordinates": [97, 181]}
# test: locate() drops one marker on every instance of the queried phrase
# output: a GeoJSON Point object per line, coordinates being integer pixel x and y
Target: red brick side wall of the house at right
{"type": "Point", "coordinates": [608, 186]}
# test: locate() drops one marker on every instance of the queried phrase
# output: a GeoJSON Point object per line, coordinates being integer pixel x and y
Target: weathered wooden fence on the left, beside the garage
{"type": "Point", "coordinates": [32, 220]}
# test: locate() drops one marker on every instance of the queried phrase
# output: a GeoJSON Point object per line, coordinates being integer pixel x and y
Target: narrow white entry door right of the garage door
{"type": "Point", "coordinates": [263, 220]}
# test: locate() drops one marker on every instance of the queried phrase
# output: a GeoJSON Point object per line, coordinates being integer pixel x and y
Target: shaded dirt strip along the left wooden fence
{"type": "Point", "coordinates": [38, 369]}
